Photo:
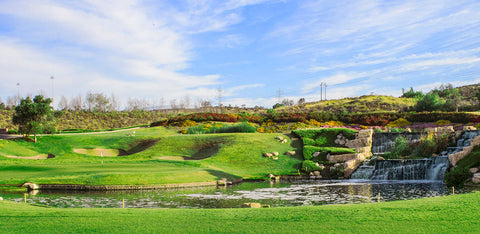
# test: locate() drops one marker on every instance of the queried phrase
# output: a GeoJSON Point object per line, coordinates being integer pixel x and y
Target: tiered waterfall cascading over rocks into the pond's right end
{"type": "Point", "coordinates": [433, 168]}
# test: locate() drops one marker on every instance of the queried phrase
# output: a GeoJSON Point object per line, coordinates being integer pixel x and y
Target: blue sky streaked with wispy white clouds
{"type": "Point", "coordinates": [256, 52]}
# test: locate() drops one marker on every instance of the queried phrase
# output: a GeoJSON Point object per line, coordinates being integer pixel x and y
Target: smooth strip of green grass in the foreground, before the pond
{"type": "Point", "coordinates": [450, 214]}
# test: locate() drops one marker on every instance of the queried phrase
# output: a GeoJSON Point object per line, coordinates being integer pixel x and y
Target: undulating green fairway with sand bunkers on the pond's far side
{"type": "Point", "coordinates": [213, 156]}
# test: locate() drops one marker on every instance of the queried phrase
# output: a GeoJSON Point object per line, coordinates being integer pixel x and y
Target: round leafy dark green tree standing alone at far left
{"type": "Point", "coordinates": [31, 116]}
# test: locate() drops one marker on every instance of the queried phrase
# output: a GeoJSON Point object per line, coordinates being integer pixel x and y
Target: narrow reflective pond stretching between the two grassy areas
{"type": "Point", "coordinates": [273, 194]}
